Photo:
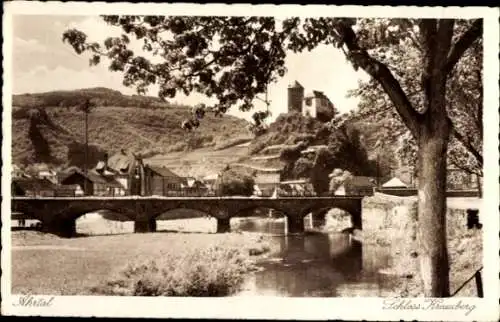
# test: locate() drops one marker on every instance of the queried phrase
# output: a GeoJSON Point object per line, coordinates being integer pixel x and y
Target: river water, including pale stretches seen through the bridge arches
{"type": "Point", "coordinates": [322, 262]}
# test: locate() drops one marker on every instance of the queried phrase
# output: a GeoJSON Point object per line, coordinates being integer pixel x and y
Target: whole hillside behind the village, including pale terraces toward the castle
{"type": "Point", "coordinates": [49, 128]}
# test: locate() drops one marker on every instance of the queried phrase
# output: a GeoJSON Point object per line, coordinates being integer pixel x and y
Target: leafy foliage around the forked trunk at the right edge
{"type": "Point", "coordinates": [464, 103]}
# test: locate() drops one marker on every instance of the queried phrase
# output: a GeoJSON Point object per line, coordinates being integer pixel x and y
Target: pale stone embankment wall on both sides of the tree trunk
{"type": "Point", "coordinates": [392, 221]}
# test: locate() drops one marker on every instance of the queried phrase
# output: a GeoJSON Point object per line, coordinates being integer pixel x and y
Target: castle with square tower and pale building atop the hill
{"type": "Point", "coordinates": [314, 104]}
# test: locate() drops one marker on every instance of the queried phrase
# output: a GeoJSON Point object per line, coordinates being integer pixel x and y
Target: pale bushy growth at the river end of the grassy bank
{"type": "Point", "coordinates": [208, 272]}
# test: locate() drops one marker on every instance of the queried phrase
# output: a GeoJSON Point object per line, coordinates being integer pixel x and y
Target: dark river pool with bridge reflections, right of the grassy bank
{"type": "Point", "coordinates": [325, 264]}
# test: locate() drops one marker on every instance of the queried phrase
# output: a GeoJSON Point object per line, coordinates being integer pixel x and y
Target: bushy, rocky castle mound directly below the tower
{"type": "Point", "coordinates": [358, 149]}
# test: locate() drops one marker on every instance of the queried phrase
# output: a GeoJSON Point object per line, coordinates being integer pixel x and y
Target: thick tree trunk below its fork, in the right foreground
{"type": "Point", "coordinates": [434, 264]}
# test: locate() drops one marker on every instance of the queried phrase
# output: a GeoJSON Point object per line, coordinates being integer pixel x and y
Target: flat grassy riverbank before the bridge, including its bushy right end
{"type": "Point", "coordinates": [133, 264]}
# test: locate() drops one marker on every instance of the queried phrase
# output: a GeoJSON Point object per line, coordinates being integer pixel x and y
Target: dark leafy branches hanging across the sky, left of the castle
{"type": "Point", "coordinates": [210, 55]}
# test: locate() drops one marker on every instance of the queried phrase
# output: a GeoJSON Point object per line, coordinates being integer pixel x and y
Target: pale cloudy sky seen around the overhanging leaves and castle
{"type": "Point", "coordinates": [42, 63]}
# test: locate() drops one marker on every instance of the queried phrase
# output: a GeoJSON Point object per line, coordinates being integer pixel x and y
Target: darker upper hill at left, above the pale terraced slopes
{"type": "Point", "coordinates": [55, 134]}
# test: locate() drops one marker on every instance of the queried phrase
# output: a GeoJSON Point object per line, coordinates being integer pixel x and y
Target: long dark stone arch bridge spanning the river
{"type": "Point", "coordinates": [58, 214]}
